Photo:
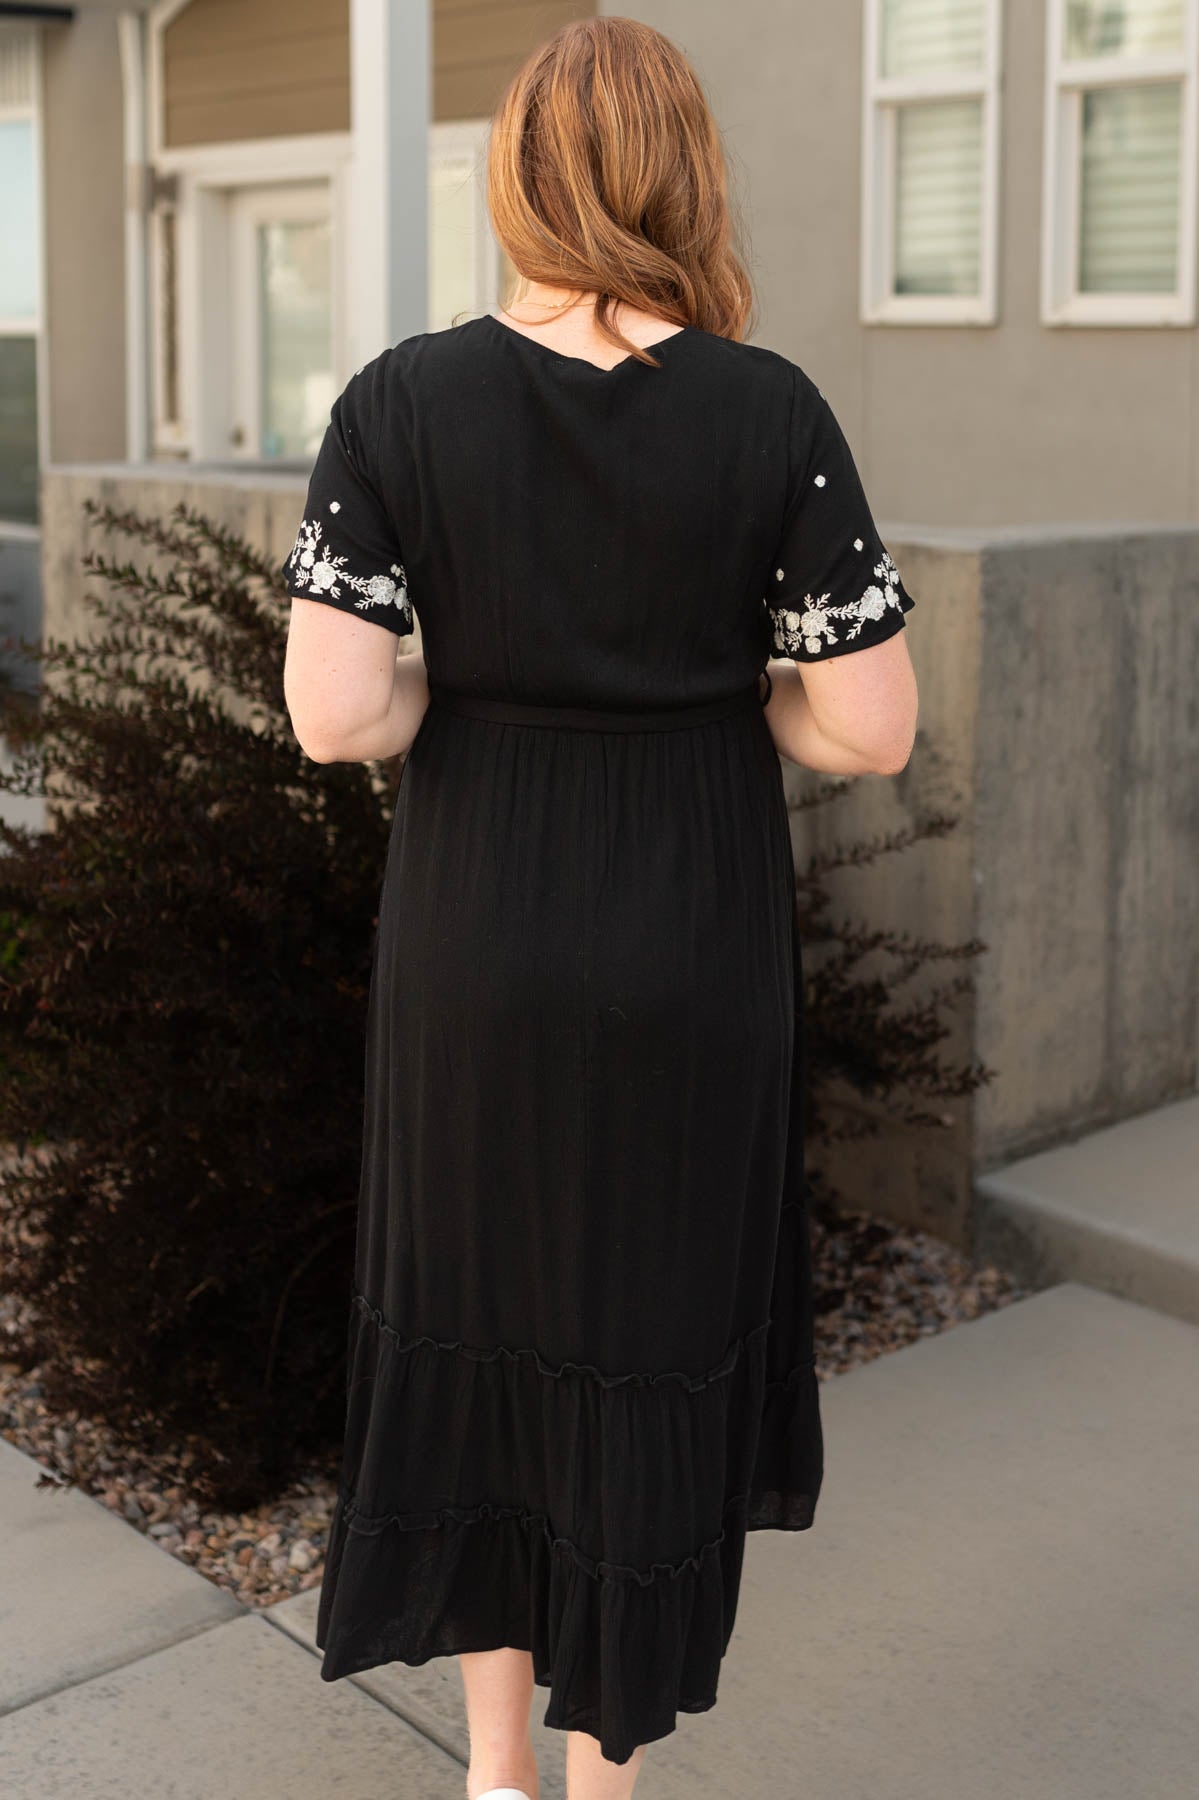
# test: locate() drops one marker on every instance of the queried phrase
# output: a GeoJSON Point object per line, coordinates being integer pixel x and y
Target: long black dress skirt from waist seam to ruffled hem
{"type": "Point", "coordinates": [581, 1335]}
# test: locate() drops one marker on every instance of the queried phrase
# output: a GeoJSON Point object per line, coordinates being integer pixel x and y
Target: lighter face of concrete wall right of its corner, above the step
{"type": "Point", "coordinates": [1088, 820]}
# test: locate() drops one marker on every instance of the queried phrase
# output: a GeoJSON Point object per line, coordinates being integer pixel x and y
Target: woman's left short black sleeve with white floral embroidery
{"type": "Point", "coordinates": [347, 552]}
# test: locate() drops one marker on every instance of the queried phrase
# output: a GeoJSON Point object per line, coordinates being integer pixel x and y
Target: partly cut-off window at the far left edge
{"type": "Point", "coordinates": [21, 278]}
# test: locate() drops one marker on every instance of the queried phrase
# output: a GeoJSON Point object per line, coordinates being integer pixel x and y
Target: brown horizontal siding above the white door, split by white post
{"type": "Point", "coordinates": [273, 67]}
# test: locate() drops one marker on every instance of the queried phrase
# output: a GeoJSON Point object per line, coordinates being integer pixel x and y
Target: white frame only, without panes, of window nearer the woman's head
{"type": "Point", "coordinates": [883, 96]}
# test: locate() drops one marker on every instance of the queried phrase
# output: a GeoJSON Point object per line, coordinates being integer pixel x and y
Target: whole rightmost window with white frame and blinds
{"type": "Point", "coordinates": [1121, 163]}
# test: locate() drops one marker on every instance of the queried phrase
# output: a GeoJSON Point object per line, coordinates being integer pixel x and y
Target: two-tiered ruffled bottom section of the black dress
{"type": "Point", "coordinates": [609, 1525]}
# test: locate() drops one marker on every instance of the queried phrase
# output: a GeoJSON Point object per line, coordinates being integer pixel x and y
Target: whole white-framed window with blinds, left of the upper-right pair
{"type": "Point", "coordinates": [932, 161]}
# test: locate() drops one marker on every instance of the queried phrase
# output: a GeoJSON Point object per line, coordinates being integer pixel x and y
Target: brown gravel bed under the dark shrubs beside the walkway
{"type": "Point", "coordinates": [883, 1288]}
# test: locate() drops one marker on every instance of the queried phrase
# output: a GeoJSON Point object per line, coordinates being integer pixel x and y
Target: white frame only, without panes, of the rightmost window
{"type": "Point", "coordinates": [1067, 80]}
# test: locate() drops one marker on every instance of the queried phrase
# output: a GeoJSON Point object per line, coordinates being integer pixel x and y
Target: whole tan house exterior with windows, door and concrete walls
{"type": "Point", "coordinates": [971, 220]}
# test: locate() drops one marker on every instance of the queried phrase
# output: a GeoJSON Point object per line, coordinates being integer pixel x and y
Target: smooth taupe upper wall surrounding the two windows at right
{"type": "Point", "coordinates": [957, 426]}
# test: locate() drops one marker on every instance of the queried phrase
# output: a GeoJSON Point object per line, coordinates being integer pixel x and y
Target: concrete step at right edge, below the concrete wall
{"type": "Point", "coordinates": [1119, 1210]}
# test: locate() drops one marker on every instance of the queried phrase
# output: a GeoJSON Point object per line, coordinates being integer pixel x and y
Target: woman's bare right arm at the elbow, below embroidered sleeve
{"type": "Point", "coordinates": [851, 715]}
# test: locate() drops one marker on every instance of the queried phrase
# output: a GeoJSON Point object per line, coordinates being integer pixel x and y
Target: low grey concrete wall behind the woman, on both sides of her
{"type": "Point", "coordinates": [1058, 726]}
